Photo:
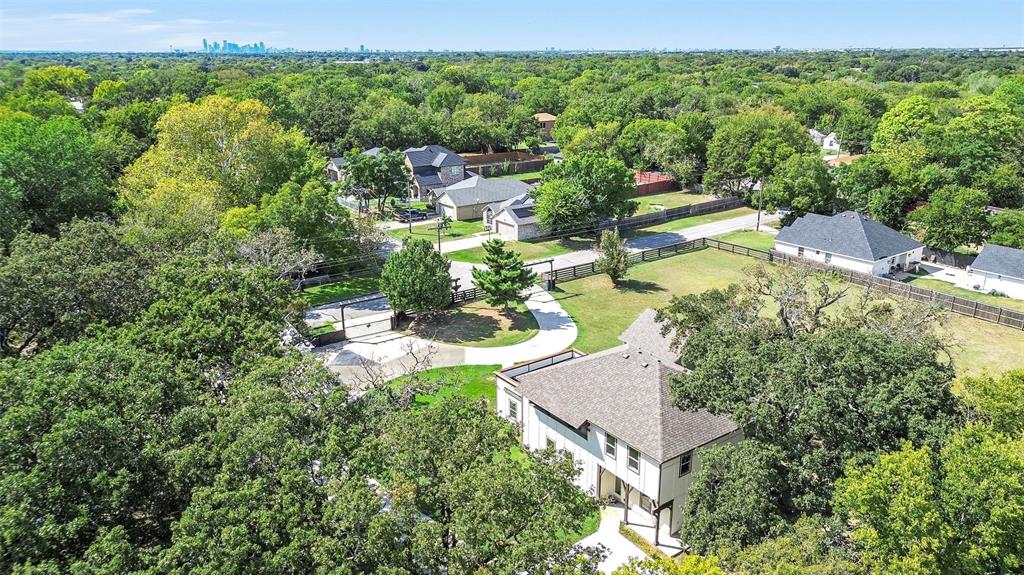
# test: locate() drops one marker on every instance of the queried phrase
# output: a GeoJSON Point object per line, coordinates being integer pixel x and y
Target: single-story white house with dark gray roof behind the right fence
{"type": "Point", "coordinates": [849, 241]}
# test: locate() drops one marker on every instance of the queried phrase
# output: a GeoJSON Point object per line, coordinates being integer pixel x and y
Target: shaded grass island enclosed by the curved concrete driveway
{"type": "Point", "coordinates": [478, 325]}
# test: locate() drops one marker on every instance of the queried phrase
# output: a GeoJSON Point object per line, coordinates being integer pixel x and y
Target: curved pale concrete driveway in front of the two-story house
{"type": "Point", "coordinates": [395, 353]}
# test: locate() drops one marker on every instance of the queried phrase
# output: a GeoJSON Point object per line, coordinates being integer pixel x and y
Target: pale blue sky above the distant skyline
{"type": "Point", "coordinates": [511, 25]}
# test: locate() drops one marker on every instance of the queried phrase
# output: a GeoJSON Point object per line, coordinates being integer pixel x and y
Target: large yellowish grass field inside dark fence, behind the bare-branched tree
{"type": "Point", "coordinates": [604, 312]}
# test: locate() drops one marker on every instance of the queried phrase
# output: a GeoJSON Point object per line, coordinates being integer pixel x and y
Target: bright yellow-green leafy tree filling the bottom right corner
{"type": "Point", "coordinates": [955, 511]}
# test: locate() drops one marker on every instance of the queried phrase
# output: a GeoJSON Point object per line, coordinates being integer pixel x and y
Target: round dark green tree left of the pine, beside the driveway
{"type": "Point", "coordinates": [416, 279]}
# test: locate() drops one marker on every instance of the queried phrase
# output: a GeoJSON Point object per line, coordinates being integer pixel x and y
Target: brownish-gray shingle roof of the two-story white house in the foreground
{"type": "Point", "coordinates": [625, 391]}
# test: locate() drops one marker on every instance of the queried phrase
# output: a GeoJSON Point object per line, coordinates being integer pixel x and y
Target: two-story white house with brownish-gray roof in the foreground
{"type": "Point", "coordinates": [614, 413]}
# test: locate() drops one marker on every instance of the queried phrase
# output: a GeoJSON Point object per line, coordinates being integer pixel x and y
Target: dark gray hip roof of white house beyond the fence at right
{"type": "Point", "coordinates": [849, 235]}
